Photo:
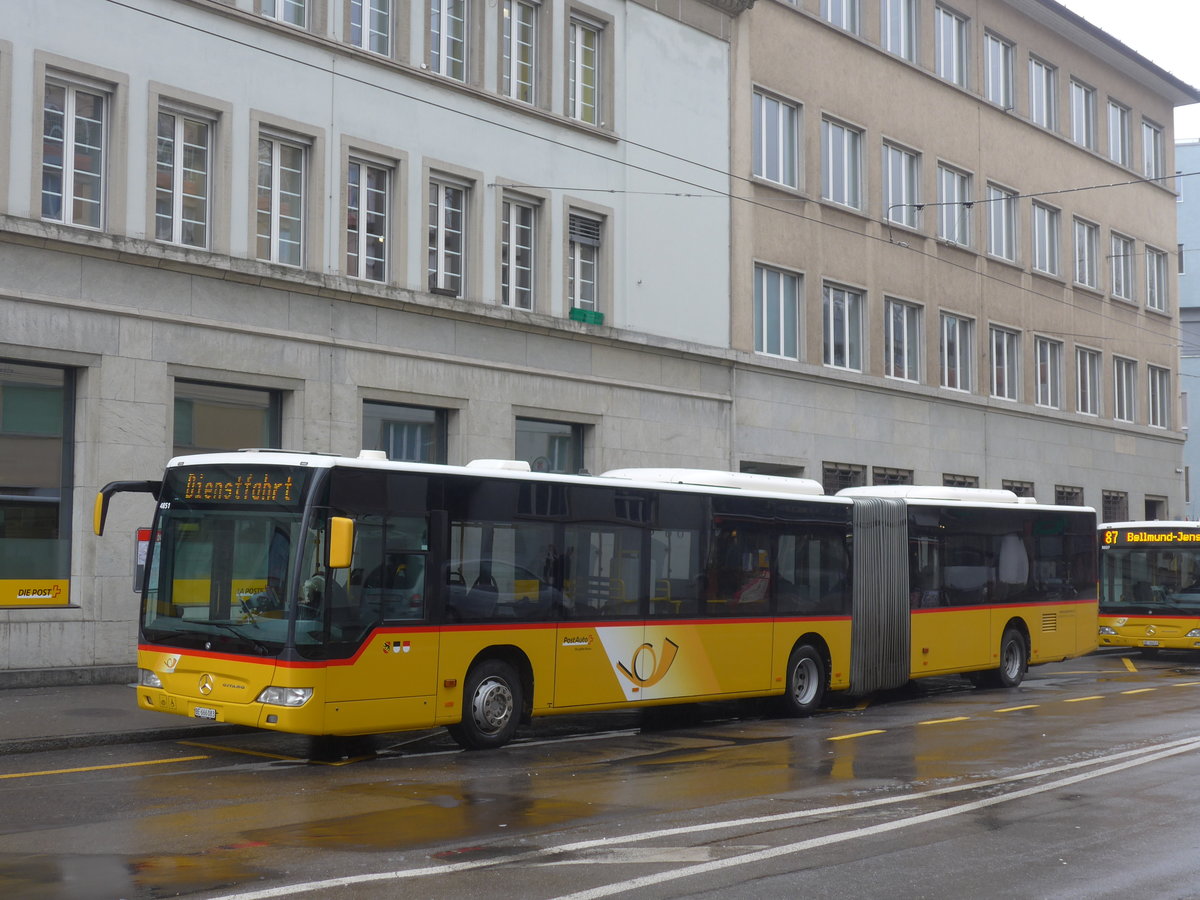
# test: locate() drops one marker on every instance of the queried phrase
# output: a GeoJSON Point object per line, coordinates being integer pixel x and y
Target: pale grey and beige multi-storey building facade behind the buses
{"type": "Point", "coordinates": [590, 236]}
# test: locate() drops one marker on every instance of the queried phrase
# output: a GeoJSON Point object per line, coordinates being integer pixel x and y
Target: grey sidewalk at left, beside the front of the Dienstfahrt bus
{"type": "Point", "coordinates": [58, 718]}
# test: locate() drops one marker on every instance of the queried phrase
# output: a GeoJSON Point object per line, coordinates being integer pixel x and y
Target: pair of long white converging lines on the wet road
{"type": "Point", "coordinates": [1113, 763]}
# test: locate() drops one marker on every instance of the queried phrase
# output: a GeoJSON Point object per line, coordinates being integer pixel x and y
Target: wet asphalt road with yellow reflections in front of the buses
{"type": "Point", "coordinates": [1081, 784]}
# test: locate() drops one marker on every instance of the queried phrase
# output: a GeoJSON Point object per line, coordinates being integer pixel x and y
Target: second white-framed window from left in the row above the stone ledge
{"type": "Point", "coordinates": [182, 179]}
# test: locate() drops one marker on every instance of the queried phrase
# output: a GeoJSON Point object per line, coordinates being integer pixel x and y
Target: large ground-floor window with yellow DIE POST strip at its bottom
{"type": "Point", "coordinates": [37, 445]}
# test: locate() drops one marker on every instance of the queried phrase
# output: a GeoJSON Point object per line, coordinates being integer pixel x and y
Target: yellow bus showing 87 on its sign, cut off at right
{"type": "Point", "coordinates": [1150, 585]}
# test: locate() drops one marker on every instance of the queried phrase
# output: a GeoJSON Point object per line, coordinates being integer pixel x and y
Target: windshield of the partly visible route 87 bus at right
{"type": "Point", "coordinates": [1159, 580]}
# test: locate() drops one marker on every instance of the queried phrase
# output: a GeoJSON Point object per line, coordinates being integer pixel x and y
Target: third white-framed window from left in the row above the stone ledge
{"type": "Point", "coordinates": [281, 200]}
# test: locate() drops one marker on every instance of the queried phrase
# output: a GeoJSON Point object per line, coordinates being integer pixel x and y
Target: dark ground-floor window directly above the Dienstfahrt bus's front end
{"type": "Point", "coordinates": [218, 417]}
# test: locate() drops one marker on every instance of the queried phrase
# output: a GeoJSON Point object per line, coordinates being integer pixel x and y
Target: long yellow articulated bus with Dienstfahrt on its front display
{"type": "Point", "coordinates": [339, 597]}
